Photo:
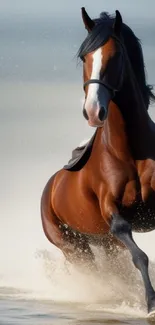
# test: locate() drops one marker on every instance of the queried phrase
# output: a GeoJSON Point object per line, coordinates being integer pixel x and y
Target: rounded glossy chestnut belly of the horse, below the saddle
{"type": "Point", "coordinates": [77, 207]}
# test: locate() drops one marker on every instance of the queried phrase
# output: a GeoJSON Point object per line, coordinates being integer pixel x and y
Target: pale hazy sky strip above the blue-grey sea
{"type": "Point", "coordinates": [138, 8]}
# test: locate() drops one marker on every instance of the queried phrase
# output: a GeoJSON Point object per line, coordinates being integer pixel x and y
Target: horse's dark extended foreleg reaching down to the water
{"type": "Point", "coordinates": [122, 230]}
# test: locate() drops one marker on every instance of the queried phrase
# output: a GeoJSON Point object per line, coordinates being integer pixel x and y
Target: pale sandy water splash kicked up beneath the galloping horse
{"type": "Point", "coordinates": [116, 286]}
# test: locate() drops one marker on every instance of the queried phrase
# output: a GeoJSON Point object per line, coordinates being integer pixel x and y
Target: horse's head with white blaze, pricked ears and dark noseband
{"type": "Point", "coordinates": [103, 67]}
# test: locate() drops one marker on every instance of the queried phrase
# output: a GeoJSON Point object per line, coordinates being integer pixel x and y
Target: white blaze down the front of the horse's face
{"type": "Point", "coordinates": [92, 98]}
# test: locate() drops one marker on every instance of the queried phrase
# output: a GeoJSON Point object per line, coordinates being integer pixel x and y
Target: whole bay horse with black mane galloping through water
{"type": "Point", "coordinates": [108, 190]}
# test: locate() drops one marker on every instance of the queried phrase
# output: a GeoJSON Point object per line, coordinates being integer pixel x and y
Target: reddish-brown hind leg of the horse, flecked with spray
{"type": "Point", "coordinates": [74, 246]}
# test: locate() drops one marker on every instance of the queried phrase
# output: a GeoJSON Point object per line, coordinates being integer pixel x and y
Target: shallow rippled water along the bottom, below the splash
{"type": "Point", "coordinates": [48, 313]}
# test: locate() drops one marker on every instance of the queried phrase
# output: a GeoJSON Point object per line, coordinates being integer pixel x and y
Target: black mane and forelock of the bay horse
{"type": "Point", "coordinates": [99, 36]}
